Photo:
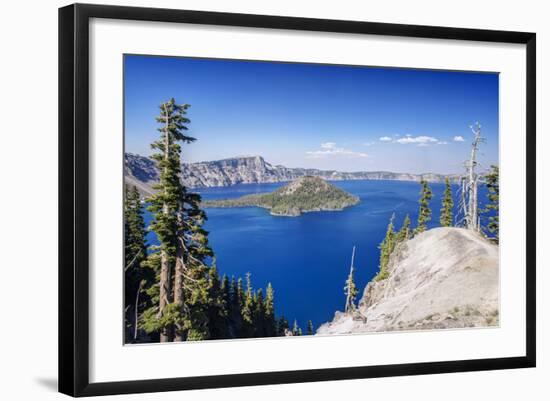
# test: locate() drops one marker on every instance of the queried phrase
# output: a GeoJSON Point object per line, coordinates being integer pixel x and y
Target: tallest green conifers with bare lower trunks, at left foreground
{"type": "Point", "coordinates": [182, 311]}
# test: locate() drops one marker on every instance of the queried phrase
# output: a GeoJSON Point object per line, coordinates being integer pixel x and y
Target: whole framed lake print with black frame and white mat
{"type": "Point", "coordinates": [250, 199]}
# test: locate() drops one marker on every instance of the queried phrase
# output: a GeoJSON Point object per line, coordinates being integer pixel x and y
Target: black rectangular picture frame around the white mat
{"type": "Point", "coordinates": [74, 200]}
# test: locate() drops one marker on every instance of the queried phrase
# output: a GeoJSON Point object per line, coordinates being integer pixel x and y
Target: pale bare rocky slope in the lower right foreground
{"type": "Point", "coordinates": [442, 278]}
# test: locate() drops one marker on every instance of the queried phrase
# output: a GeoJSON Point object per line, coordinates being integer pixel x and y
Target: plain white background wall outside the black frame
{"type": "Point", "coordinates": [28, 87]}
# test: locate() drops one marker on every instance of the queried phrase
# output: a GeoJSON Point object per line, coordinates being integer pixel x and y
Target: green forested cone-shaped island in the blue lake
{"type": "Point", "coordinates": [305, 194]}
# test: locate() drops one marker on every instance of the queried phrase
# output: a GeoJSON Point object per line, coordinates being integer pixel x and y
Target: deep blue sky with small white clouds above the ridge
{"type": "Point", "coordinates": [322, 116]}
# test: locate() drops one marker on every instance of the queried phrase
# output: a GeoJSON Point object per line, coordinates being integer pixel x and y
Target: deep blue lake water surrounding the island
{"type": "Point", "coordinates": [307, 258]}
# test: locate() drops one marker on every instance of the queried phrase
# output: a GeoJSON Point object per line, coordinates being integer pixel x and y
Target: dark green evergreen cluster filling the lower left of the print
{"type": "Point", "coordinates": [173, 291]}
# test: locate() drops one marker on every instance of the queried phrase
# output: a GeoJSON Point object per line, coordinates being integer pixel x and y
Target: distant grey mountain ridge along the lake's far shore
{"type": "Point", "coordinates": [141, 171]}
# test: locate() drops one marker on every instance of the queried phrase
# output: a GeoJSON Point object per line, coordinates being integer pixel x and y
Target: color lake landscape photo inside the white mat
{"type": "Point", "coordinates": [272, 199]}
